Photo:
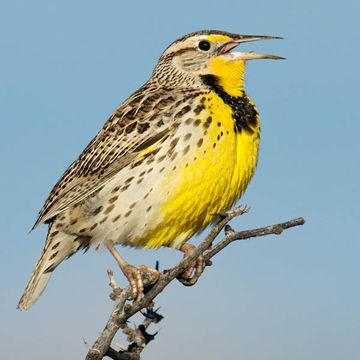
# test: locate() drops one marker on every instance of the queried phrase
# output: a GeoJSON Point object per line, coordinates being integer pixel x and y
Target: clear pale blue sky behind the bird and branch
{"type": "Point", "coordinates": [65, 66]}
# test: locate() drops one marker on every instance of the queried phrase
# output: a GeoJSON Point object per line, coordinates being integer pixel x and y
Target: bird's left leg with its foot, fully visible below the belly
{"type": "Point", "coordinates": [134, 273]}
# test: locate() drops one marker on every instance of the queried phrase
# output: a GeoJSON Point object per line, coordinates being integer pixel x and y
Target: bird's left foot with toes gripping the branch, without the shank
{"type": "Point", "coordinates": [138, 277]}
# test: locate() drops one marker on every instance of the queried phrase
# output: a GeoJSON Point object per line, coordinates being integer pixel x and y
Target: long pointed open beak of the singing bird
{"type": "Point", "coordinates": [227, 47]}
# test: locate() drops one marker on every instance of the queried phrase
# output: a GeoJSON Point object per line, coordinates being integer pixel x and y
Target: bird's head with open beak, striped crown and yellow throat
{"type": "Point", "coordinates": [206, 53]}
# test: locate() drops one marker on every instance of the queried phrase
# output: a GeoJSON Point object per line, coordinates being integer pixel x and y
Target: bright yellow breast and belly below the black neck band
{"type": "Point", "coordinates": [208, 176]}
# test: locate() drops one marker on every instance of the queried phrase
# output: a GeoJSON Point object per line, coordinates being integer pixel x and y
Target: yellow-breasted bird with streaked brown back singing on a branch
{"type": "Point", "coordinates": [178, 151]}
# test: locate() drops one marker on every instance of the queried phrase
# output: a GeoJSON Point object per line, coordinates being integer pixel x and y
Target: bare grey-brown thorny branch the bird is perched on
{"type": "Point", "coordinates": [122, 311]}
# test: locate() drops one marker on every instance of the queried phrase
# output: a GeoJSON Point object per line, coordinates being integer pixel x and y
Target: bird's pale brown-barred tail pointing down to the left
{"type": "Point", "coordinates": [55, 251]}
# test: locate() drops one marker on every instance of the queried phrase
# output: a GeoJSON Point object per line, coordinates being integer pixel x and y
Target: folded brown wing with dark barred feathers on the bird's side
{"type": "Point", "coordinates": [127, 133]}
